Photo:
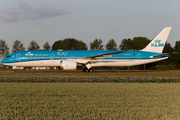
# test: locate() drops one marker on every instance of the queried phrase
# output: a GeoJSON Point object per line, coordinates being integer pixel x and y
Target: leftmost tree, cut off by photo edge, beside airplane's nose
{"type": "Point", "coordinates": [4, 49]}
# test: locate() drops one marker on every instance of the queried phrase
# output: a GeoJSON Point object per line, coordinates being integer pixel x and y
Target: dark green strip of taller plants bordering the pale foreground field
{"type": "Point", "coordinates": [86, 79]}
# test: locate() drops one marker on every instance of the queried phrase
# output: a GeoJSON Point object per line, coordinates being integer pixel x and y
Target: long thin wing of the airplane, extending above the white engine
{"type": "Point", "coordinates": [96, 57]}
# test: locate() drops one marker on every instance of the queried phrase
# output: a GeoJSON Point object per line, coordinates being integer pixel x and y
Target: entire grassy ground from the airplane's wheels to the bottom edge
{"type": "Point", "coordinates": [64, 97]}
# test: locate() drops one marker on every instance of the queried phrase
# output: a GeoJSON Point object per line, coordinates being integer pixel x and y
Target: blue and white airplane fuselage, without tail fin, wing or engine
{"type": "Point", "coordinates": [52, 58]}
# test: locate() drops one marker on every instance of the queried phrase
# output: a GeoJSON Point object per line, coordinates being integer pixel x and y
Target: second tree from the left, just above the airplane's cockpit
{"type": "Point", "coordinates": [17, 46]}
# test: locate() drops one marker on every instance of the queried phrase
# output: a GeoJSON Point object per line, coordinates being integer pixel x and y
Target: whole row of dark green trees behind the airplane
{"type": "Point", "coordinates": [137, 43]}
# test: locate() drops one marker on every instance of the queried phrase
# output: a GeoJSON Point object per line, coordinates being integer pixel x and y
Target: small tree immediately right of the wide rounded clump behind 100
{"type": "Point", "coordinates": [96, 45]}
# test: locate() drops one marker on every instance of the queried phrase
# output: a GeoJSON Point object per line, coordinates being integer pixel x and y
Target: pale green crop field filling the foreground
{"type": "Point", "coordinates": [90, 101]}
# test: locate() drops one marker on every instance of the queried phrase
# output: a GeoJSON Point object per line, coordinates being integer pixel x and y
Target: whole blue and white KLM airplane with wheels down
{"type": "Point", "coordinates": [70, 59]}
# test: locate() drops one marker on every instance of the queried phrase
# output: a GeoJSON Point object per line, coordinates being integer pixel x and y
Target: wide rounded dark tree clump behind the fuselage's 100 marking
{"type": "Point", "coordinates": [69, 44]}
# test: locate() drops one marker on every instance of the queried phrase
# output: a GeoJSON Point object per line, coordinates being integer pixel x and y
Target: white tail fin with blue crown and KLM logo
{"type": "Point", "coordinates": [158, 43]}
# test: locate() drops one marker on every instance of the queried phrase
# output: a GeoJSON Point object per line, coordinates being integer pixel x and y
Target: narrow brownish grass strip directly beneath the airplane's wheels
{"type": "Point", "coordinates": [168, 73]}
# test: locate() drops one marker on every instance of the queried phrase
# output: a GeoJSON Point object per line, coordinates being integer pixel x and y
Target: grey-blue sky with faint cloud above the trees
{"type": "Point", "coordinates": [86, 20]}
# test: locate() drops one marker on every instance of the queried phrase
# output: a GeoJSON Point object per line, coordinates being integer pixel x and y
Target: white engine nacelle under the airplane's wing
{"type": "Point", "coordinates": [68, 65]}
